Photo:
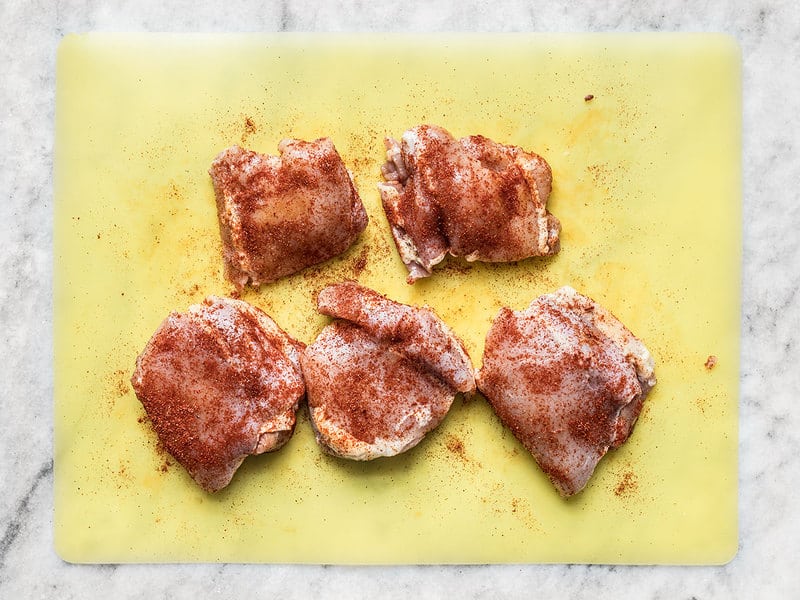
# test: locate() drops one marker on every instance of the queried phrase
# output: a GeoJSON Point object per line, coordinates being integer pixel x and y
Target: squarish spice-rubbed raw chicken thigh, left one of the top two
{"type": "Point", "coordinates": [279, 215]}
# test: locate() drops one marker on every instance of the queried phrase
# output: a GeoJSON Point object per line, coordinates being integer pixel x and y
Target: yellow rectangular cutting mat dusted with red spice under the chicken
{"type": "Point", "coordinates": [647, 185]}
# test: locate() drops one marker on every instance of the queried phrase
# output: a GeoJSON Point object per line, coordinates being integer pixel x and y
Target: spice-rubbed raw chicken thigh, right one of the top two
{"type": "Point", "coordinates": [468, 197]}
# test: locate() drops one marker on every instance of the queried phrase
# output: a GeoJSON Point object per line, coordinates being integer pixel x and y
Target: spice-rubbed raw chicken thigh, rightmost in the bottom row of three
{"type": "Point", "coordinates": [568, 379]}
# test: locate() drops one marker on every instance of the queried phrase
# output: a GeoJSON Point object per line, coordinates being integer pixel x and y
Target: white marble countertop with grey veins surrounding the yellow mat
{"type": "Point", "coordinates": [769, 33]}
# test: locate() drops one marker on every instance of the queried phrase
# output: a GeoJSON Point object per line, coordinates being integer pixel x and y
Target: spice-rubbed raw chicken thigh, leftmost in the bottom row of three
{"type": "Point", "coordinates": [219, 382]}
